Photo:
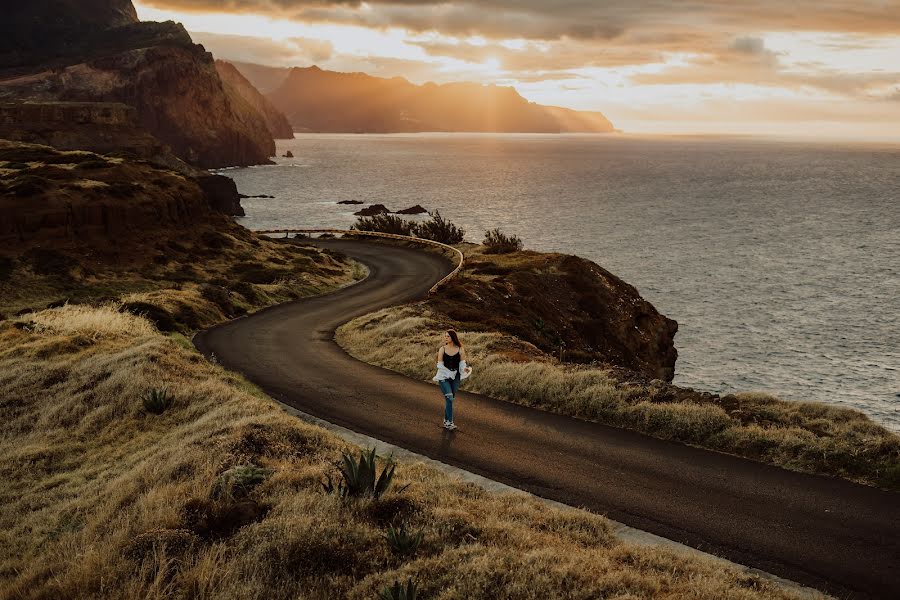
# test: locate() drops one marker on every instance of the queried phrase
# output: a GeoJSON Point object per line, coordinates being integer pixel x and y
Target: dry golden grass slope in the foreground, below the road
{"type": "Point", "coordinates": [103, 500]}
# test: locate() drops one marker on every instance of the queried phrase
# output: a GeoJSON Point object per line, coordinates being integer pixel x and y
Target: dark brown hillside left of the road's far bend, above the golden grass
{"type": "Point", "coordinates": [78, 227]}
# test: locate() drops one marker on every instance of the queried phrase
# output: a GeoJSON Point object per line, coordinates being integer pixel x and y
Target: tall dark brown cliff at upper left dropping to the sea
{"type": "Point", "coordinates": [154, 67]}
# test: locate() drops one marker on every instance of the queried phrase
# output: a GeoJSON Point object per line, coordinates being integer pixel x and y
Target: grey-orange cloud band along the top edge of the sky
{"type": "Point", "coordinates": [576, 19]}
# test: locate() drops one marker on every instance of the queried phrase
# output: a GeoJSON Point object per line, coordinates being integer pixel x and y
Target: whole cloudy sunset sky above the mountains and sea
{"type": "Point", "coordinates": [825, 68]}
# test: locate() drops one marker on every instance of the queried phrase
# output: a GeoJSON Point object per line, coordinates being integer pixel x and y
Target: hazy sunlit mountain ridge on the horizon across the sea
{"type": "Point", "coordinates": [316, 100]}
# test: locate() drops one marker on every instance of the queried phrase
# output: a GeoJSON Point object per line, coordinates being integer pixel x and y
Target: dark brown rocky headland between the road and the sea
{"type": "Point", "coordinates": [557, 301]}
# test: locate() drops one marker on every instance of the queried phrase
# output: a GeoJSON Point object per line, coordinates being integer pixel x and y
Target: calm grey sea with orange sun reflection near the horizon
{"type": "Point", "coordinates": [778, 259]}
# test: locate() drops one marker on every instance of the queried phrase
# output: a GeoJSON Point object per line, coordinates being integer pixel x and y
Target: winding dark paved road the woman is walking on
{"type": "Point", "coordinates": [826, 533]}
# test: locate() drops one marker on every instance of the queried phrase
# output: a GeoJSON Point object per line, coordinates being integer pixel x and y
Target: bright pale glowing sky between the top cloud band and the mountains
{"type": "Point", "coordinates": [790, 78]}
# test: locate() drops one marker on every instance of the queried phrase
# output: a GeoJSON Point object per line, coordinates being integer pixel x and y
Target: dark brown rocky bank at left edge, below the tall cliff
{"type": "Point", "coordinates": [55, 199]}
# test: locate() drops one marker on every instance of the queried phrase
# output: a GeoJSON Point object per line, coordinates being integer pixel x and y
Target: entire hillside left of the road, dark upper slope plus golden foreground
{"type": "Point", "coordinates": [134, 468]}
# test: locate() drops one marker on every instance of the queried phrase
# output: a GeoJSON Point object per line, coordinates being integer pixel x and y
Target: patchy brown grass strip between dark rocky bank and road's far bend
{"type": "Point", "coordinates": [195, 286]}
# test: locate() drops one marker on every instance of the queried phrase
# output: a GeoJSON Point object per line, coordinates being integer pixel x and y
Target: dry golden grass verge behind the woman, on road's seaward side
{"type": "Point", "coordinates": [804, 436]}
